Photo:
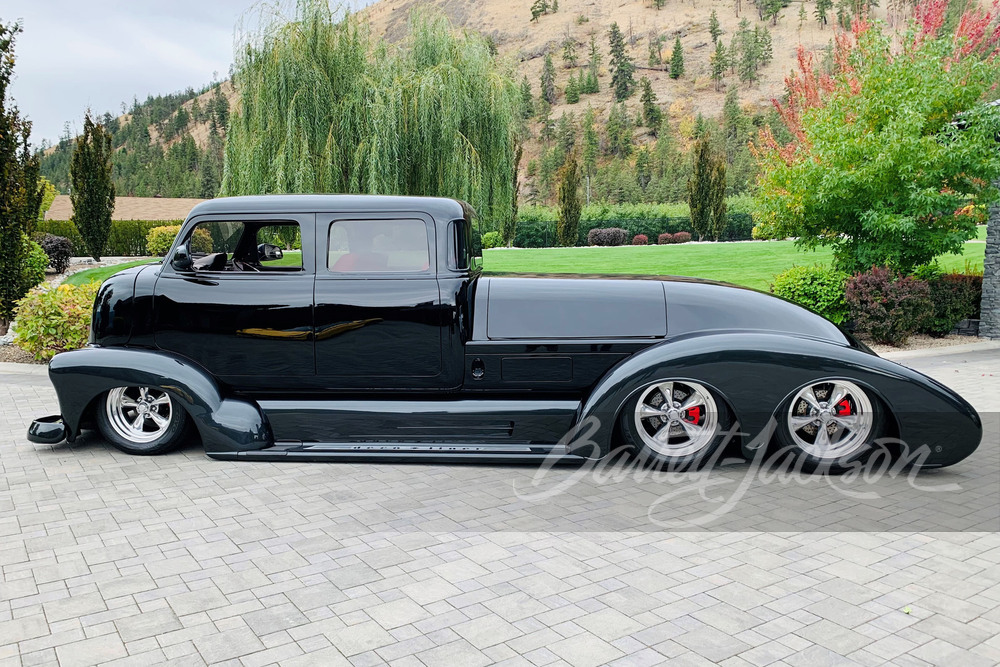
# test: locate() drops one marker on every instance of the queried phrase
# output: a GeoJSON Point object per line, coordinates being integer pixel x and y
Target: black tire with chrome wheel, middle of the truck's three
{"type": "Point", "coordinates": [630, 422]}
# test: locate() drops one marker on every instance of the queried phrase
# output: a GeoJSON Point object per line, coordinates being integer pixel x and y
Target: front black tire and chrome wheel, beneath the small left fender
{"type": "Point", "coordinates": [156, 438]}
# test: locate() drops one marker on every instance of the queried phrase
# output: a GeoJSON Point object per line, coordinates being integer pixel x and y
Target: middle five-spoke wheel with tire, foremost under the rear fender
{"type": "Point", "coordinates": [674, 422]}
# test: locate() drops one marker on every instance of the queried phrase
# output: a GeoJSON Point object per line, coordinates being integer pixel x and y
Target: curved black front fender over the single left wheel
{"type": "Point", "coordinates": [224, 423]}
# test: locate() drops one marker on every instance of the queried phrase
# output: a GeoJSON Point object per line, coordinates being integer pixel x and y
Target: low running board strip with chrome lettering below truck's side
{"type": "Point", "coordinates": [403, 452]}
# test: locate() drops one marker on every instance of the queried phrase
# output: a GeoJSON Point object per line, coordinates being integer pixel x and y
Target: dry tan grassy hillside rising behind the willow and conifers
{"type": "Point", "coordinates": [525, 42]}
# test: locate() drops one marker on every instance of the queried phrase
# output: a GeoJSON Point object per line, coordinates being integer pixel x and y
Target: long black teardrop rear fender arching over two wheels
{"type": "Point", "coordinates": [756, 372]}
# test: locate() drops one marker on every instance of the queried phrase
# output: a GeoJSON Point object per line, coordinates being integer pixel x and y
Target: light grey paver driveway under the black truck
{"type": "Point", "coordinates": [112, 559]}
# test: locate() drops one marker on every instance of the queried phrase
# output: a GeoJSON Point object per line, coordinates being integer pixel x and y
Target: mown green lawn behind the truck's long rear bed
{"type": "Point", "coordinates": [750, 264]}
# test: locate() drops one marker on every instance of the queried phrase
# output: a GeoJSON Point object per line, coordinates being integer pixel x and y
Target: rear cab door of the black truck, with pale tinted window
{"type": "Point", "coordinates": [379, 315]}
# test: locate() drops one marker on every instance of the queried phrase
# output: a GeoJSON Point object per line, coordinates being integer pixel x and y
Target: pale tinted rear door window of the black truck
{"type": "Point", "coordinates": [358, 246]}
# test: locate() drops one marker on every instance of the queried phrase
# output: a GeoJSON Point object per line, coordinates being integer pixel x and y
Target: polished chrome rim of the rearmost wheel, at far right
{"type": "Point", "coordinates": [830, 419]}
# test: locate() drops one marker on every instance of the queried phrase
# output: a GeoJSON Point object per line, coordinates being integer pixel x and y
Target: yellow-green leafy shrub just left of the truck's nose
{"type": "Point", "coordinates": [50, 321]}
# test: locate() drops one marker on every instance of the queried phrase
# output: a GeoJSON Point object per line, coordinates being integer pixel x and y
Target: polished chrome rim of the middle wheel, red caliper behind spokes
{"type": "Point", "coordinates": [676, 418]}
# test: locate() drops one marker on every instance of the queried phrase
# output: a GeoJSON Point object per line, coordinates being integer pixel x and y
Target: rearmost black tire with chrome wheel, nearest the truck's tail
{"type": "Point", "coordinates": [856, 455]}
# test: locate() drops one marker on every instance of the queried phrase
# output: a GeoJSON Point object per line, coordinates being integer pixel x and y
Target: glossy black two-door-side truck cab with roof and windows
{"type": "Point", "coordinates": [342, 293]}
